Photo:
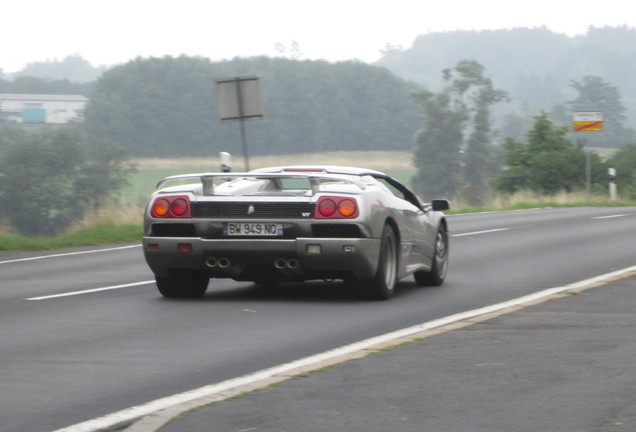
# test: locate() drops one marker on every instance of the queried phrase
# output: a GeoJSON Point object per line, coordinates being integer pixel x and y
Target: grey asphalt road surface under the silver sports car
{"type": "Point", "coordinates": [86, 334]}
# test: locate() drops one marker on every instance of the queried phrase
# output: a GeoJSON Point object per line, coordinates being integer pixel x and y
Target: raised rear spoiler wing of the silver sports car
{"type": "Point", "coordinates": [207, 179]}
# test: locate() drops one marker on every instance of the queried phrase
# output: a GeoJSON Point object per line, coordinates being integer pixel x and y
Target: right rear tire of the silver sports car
{"type": "Point", "coordinates": [382, 286]}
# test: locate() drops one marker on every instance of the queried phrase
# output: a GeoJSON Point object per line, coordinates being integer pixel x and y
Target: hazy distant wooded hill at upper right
{"type": "Point", "coordinates": [534, 65]}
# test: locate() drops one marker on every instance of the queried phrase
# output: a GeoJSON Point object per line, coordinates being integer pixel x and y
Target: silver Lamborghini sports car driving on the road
{"type": "Point", "coordinates": [293, 223]}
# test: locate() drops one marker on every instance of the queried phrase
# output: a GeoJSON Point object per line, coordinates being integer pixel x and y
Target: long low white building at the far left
{"type": "Point", "coordinates": [41, 108]}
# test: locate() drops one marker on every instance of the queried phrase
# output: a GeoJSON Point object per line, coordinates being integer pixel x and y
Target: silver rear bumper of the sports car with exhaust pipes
{"type": "Point", "coordinates": [255, 259]}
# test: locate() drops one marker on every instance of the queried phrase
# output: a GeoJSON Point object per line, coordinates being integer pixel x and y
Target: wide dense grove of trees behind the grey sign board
{"type": "Point", "coordinates": [167, 107]}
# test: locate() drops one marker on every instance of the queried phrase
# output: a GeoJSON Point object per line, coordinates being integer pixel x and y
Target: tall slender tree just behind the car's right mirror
{"type": "Point", "coordinates": [453, 152]}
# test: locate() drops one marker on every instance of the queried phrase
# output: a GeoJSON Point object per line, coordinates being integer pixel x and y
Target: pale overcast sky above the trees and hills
{"type": "Point", "coordinates": [115, 31]}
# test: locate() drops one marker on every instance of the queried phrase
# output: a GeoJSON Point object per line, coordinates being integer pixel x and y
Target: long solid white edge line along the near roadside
{"type": "Point", "coordinates": [136, 412]}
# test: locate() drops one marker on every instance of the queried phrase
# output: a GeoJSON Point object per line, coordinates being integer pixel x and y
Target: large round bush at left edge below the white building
{"type": "Point", "coordinates": [48, 183]}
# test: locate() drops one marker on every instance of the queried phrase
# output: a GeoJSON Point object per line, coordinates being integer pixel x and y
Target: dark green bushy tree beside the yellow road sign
{"type": "Point", "coordinates": [548, 163]}
